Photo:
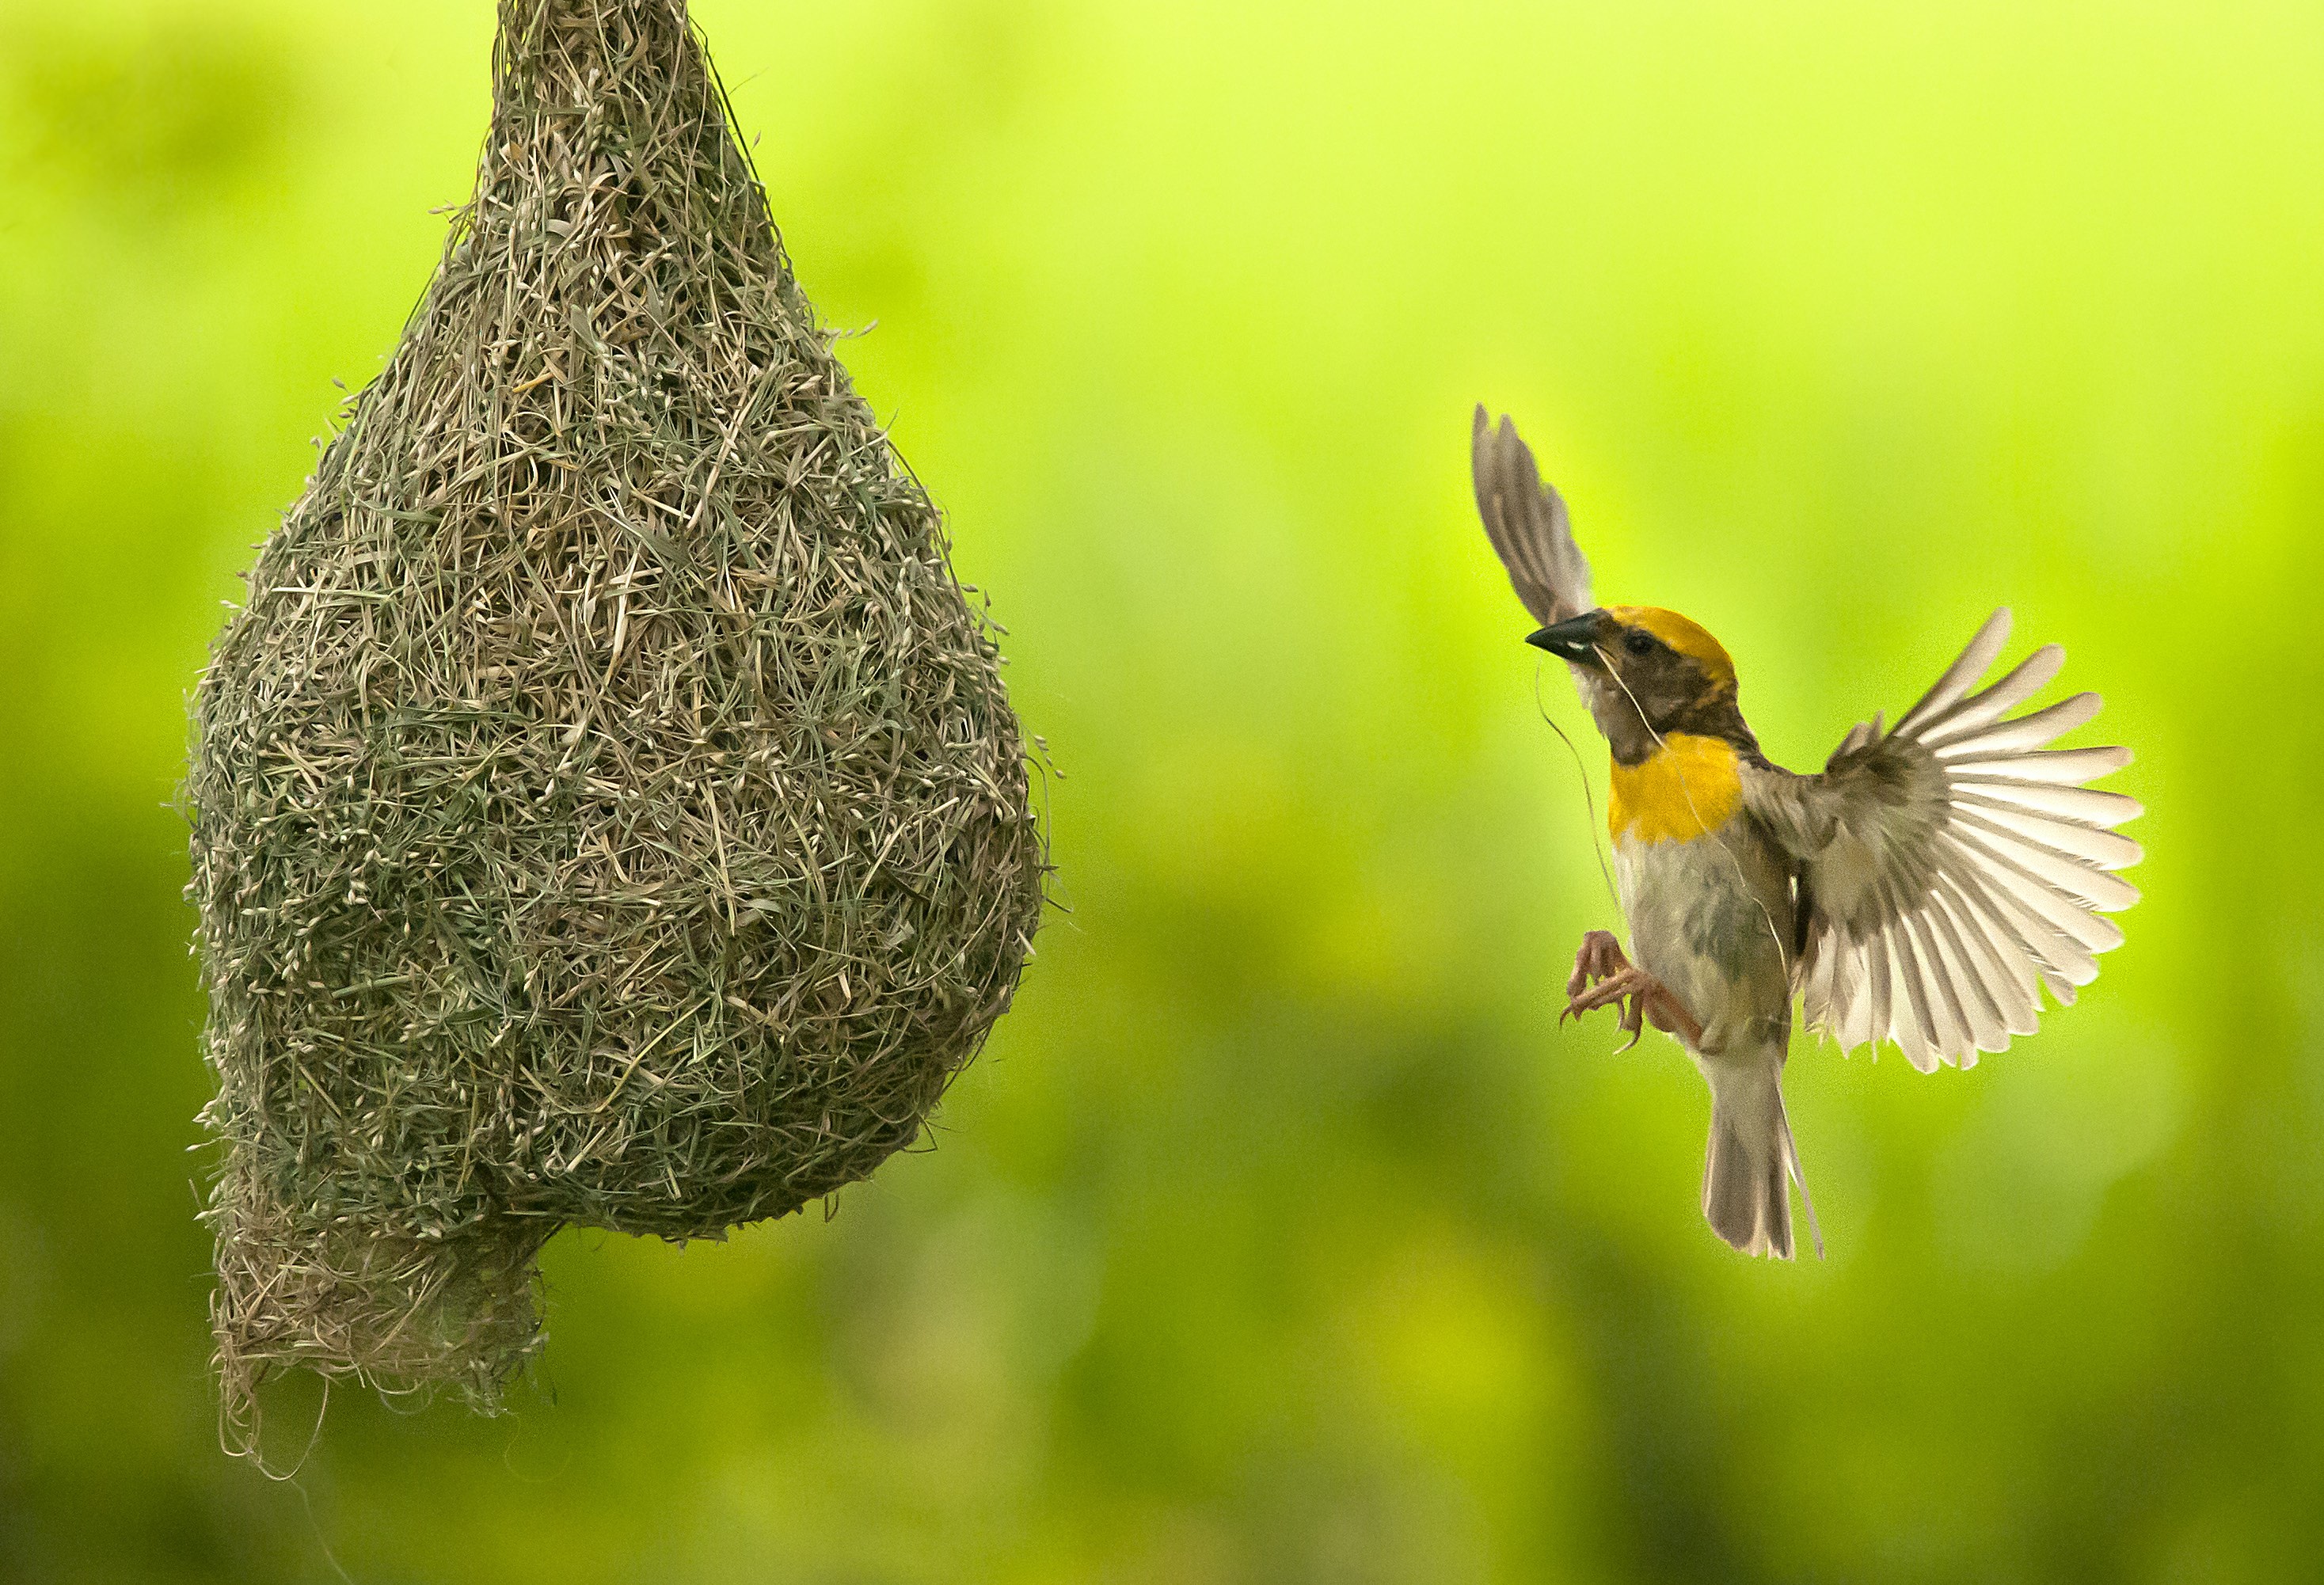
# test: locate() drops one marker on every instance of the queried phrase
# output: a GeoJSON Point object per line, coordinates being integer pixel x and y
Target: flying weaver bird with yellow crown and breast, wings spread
{"type": "Point", "coordinates": [1921, 891]}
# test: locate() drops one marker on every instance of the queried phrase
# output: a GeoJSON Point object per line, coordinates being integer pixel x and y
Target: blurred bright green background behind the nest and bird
{"type": "Point", "coordinates": [1282, 1235]}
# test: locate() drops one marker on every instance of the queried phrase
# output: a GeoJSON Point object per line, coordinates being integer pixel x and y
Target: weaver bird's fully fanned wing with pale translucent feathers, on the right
{"type": "Point", "coordinates": [1953, 866]}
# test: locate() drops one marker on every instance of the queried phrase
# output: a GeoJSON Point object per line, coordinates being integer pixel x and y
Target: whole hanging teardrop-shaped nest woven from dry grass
{"type": "Point", "coordinates": [605, 805]}
